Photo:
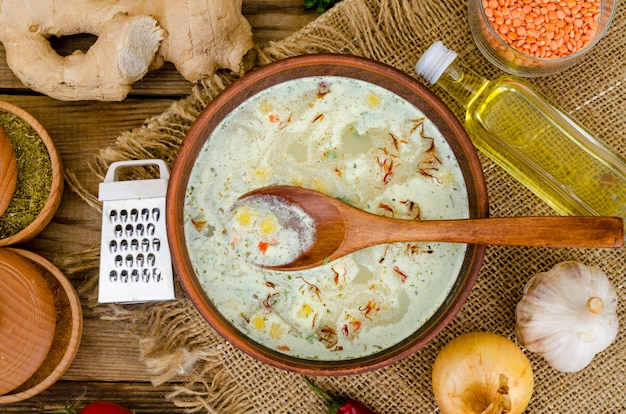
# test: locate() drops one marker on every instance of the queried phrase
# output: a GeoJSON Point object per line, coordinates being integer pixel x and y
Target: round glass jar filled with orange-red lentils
{"type": "Point", "coordinates": [533, 38]}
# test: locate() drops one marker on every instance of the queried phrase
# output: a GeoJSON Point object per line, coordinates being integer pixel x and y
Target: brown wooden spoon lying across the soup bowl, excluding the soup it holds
{"type": "Point", "coordinates": [341, 229]}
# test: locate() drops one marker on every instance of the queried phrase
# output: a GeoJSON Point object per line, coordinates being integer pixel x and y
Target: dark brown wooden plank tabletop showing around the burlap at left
{"type": "Point", "coordinates": [107, 366]}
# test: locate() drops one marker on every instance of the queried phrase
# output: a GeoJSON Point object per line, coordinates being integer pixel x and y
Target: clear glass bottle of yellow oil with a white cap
{"type": "Point", "coordinates": [536, 142]}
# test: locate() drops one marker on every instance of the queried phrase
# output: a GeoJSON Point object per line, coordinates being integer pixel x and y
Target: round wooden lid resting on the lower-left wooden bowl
{"type": "Point", "coordinates": [27, 320]}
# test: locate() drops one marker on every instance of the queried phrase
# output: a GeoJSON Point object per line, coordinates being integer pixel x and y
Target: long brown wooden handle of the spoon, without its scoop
{"type": "Point", "coordinates": [548, 231]}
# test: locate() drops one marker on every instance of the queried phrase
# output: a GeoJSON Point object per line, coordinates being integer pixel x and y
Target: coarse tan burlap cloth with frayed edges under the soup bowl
{"type": "Point", "coordinates": [175, 340]}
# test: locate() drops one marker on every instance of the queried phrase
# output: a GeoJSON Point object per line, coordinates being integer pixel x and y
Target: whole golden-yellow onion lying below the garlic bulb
{"type": "Point", "coordinates": [469, 370]}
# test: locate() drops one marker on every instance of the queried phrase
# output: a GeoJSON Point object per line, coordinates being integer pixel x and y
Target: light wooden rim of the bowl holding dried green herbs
{"type": "Point", "coordinates": [56, 188]}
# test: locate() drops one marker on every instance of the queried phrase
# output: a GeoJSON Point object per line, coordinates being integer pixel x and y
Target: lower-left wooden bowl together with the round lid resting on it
{"type": "Point", "coordinates": [54, 338]}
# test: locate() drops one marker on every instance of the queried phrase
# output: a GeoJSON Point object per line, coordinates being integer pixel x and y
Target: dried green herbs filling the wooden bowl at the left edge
{"type": "Point", "coordinates": [34, 175]}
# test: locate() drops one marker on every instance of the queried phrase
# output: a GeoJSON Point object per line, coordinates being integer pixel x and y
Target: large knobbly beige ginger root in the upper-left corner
{"type": "Point", "coordinates": [133, 36]}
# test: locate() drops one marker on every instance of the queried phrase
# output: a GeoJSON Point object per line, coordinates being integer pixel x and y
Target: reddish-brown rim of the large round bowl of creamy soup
{"type": "Point", "coordinates": [295, 68]}
